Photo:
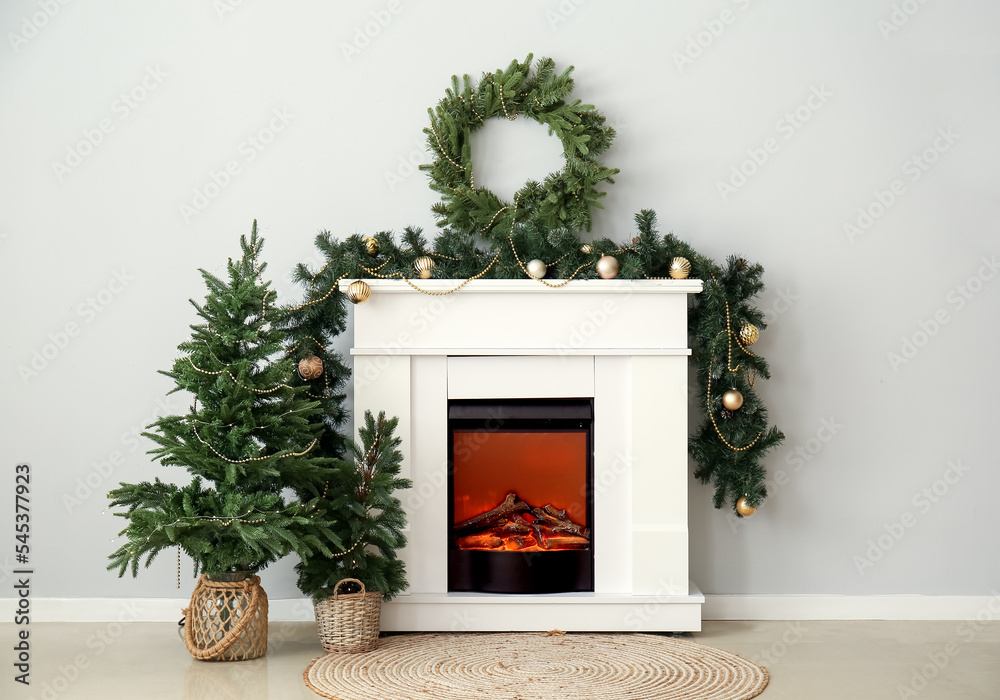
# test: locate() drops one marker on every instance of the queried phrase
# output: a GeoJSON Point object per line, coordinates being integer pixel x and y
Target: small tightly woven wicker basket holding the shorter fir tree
{"type": "Point", "coordinates": [349, 622]}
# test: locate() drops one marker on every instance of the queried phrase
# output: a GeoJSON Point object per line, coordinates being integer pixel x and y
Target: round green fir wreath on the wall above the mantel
{"type": "Point", "coordinates": [565, 199]}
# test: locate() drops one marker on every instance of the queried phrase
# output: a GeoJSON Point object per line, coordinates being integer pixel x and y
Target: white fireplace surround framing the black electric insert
{"type": "Point", "coordinates": [622, 345]}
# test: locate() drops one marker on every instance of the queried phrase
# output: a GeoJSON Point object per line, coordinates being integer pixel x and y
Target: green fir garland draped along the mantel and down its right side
{"type": "Point", "coordinates": [729, 447]}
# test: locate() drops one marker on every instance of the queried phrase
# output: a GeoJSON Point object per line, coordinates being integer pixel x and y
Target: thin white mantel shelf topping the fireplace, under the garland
{"type": "Point", "coordinates": [522, 286]}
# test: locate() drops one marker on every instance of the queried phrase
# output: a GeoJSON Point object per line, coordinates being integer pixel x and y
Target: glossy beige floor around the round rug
{"type": "Point", "coordinates": [807, 661]}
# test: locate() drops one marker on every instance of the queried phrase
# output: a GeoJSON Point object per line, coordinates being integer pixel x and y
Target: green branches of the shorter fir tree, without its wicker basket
{"type": "Point", "coordinates": [372, 528]}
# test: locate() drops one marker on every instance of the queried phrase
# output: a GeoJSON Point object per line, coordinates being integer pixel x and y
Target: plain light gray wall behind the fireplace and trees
{"type": "Point", "coordinates": [864, 436]}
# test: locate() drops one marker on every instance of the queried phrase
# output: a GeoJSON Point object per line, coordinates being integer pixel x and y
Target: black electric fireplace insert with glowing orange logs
{"type": "Point", "coordinates": [520, 496]}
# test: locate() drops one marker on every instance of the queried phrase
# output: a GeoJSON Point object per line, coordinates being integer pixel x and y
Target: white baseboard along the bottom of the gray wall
{"type": "Point", "coordinates": [716, 607]}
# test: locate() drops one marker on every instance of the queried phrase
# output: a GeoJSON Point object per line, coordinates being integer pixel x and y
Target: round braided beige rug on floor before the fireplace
{"type": "Point", "coordinates": [545, 666]}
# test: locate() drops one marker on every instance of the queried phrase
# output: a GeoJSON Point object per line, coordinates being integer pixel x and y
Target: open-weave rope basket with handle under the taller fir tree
{"type": "Point", "coordinates": [227, 620]}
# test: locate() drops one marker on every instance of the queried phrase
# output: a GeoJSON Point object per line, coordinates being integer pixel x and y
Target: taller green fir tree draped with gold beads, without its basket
{"type": "Point", "coordinates": [248, 436]}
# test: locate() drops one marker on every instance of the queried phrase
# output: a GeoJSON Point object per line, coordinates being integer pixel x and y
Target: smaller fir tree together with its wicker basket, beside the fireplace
{"type": "Point", "coordinates": [348, 588]}
